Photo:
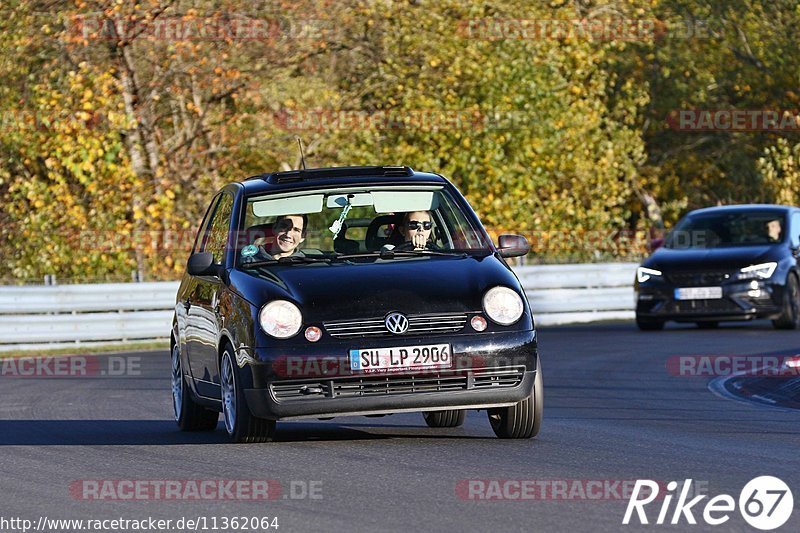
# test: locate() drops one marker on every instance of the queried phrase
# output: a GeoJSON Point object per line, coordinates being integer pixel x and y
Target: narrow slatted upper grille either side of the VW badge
{"type": "Point", "coordinates": [417, 325]}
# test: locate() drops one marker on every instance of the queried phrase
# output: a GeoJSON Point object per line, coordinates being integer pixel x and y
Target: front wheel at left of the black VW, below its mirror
{"type": "Point", "coordinates": [240, 423]}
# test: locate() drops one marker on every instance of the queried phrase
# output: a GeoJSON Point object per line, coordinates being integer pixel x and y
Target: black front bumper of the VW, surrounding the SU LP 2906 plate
{"type": "Point", "coordinates": [488, 370]}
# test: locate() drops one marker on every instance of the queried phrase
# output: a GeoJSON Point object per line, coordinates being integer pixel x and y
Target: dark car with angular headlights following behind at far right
{"type": "Point", "coordinates": [739, 262]}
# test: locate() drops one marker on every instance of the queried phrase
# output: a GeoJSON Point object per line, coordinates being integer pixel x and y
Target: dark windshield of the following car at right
{"type": "Point", "coordinates": [727, 229]}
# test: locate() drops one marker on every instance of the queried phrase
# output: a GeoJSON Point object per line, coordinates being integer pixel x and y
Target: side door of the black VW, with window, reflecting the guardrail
{"type": "Point", "coordinates": [203, 303]}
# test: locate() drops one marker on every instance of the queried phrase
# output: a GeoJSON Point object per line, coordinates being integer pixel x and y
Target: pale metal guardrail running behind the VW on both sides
{"type": "Point", "coordinates": [62, 315]}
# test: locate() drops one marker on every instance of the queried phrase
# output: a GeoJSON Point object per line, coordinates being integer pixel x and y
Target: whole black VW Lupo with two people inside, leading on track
{"type": "Point", "coordinates": [354, 321]}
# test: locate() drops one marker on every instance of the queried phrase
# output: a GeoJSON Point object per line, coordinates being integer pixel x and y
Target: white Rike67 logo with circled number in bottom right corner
{"type": "Point", "coordinates": [765, 503]}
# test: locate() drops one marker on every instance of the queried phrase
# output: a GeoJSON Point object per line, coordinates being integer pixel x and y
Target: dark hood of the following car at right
{"type": "Point", "coordinates": [733, 258]}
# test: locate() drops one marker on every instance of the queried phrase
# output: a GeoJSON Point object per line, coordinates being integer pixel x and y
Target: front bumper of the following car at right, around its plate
{"type": "Point", "coordinates": [741, 300]}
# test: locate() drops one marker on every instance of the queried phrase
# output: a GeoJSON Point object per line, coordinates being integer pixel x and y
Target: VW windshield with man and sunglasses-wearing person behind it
{"type": "Point", "coordinates": [308, 226]}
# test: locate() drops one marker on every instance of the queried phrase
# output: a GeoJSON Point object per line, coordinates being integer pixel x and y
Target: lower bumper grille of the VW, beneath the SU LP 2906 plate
{"type": "Point", "coordinates": [358, 386]}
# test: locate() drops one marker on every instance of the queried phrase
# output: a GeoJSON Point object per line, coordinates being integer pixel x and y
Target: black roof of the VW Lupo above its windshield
{"type": "Point", "coordinates": [335, 176]}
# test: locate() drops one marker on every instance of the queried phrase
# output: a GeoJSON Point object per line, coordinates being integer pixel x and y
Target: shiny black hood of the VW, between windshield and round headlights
{"type": "Point", "coordinates": [328, 291]}
